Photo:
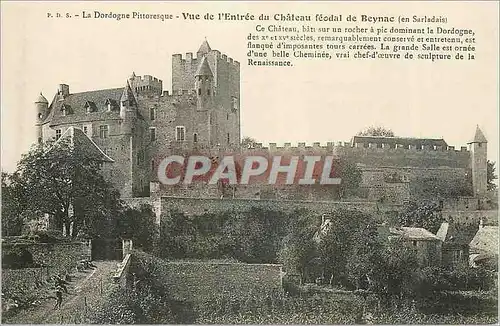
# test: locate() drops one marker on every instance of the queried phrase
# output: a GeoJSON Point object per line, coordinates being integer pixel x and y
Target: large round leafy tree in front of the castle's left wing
{"type": "Point", "coordinates": [59, 179]}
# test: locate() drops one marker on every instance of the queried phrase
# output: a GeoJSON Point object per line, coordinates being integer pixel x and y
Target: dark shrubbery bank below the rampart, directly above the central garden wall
{"type": "Point", "coordinates": [249, 236]}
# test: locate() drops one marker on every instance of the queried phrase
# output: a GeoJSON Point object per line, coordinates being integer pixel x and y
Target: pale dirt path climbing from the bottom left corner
{"type": "Point", "coordinates": [85, 292]}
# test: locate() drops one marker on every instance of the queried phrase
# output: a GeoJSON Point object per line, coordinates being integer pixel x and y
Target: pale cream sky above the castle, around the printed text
{"type": "Point", "coordinates": [314, 101]}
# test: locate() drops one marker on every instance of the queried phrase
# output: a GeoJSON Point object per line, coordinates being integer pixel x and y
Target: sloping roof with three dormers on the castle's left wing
{"type": "Point", "coordinates": [77, 103]}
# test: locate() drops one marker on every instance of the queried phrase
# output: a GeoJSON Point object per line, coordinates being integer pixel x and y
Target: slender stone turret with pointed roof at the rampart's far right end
{"type": "Point", "coordinates": [479, 162]}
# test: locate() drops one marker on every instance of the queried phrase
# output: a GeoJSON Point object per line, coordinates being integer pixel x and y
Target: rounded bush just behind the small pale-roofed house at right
{"type": "Point", "coordinates": [425, 214]}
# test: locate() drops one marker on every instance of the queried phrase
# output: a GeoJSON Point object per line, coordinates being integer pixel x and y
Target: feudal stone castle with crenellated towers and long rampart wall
{"type": "Point", "coordinates": [139, 124]}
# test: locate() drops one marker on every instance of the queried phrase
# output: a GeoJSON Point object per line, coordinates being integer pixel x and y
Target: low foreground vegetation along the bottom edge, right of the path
{"type": "Point", "coordinates": [154, 302]}
